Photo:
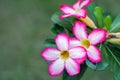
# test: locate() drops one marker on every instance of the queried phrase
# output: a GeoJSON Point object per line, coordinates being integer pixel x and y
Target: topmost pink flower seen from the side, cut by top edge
{"type": "Point", "coordinates": [75, 10]}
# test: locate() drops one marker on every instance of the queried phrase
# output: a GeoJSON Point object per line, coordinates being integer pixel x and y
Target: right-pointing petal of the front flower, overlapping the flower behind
{"type": "Point", "coordinates": [77, 52]}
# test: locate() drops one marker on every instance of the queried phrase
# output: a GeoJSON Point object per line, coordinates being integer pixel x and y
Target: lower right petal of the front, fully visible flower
{"type": "Point", "coordinates": [72, 67]}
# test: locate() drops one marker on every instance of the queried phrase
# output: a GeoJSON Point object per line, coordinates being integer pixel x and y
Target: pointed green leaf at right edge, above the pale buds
{"type": "Point", "coordinates": [115, 27]}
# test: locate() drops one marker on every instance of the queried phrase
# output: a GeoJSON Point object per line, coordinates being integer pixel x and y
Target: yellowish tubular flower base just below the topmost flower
{"type": "Point", "coordinates": [88, 22]}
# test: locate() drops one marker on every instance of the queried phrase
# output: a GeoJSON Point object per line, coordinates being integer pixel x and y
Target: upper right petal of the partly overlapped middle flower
{"type": "Point", "coordinates": [97, 36]}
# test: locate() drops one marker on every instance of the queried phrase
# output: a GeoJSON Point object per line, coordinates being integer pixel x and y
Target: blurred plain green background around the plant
{"type": "Point", "coordinates": [24, 25]}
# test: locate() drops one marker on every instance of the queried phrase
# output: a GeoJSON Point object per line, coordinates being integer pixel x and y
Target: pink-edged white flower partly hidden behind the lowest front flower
{"type": "Point", "coordinates": [88, 41]}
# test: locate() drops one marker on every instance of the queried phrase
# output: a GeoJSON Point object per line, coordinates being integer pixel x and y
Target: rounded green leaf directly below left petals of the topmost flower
{"type": "Point", "coordinates": [66, 23]}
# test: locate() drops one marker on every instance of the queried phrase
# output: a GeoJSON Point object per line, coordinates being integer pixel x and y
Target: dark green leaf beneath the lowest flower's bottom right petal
{"type": "Point", "coordinates": [66, 76]}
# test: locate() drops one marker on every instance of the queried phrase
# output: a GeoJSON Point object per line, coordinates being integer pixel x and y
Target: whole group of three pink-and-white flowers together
{"type": "Point", "coordinates": [73, 51]}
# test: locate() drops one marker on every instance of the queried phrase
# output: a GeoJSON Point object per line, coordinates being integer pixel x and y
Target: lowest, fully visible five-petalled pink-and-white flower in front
{"type": "Point", "coordinates": [63, 57]}
